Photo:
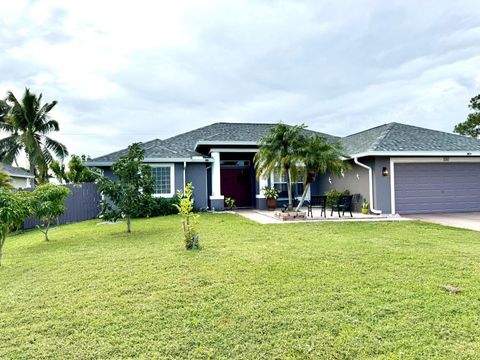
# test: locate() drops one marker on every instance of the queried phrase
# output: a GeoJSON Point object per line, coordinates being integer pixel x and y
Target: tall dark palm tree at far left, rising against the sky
{"type": "Point", "coordinates": [28, 122]}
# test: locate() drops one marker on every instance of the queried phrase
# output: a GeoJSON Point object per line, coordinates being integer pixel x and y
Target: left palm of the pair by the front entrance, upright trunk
{"type": "Point", "coordinates": [279, 151]}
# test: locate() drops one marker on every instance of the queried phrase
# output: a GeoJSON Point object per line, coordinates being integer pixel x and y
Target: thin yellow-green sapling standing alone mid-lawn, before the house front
{"type": "Point", "coordinates": [189, 218]}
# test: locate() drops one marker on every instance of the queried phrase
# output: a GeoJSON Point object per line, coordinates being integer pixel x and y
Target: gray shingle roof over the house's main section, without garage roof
{"type": "Point", "coordinates": [183, 146]}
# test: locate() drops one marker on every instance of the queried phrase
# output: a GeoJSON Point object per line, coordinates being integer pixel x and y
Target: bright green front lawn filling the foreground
{"type": "Point", "coordinates": [309, 290]}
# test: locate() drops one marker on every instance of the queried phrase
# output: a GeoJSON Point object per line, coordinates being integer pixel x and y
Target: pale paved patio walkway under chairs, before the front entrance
{"type": "Point", "coordinates": [268, 217]}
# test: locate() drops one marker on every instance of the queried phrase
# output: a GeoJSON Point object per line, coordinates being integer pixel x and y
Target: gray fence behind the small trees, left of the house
{"type": "Point", "coordinates": [83, 203]}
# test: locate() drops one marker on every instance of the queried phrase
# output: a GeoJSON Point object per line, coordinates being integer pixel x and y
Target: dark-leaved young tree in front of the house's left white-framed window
{"type": "Point", "coordinates": [133, 188]}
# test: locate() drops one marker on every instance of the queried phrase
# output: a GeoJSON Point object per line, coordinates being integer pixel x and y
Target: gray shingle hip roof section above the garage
{"type": "Point", "coordinates": [396, 137]}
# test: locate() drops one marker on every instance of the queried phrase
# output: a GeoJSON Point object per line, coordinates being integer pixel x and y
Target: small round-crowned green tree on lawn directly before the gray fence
{"type": "Point", "coordinates": [48, 204]}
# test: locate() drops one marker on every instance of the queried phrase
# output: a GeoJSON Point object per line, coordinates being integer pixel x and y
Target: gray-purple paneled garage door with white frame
{"type": "Point", "coordinates": [437, 187]}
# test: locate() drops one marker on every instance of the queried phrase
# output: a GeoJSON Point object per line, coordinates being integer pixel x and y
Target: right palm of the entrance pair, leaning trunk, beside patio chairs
{"type": "Point", "coordinates": [317, 156]}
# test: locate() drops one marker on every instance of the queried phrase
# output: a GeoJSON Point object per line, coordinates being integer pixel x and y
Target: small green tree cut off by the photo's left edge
{"type": "Point", "coordinates": [14, 209]}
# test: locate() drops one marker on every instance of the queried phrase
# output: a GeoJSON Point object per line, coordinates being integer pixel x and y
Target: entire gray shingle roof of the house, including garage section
{"type": "Point", "coordinates": [392, 137]}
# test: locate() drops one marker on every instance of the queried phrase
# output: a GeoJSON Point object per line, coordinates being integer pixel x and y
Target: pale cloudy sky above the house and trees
{"type": "Point", "coordinates": [124, 72]}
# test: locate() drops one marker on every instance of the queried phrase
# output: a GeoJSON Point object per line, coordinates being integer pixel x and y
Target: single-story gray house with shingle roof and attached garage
{"type": "Point", "coordinates": [398, 168]}
